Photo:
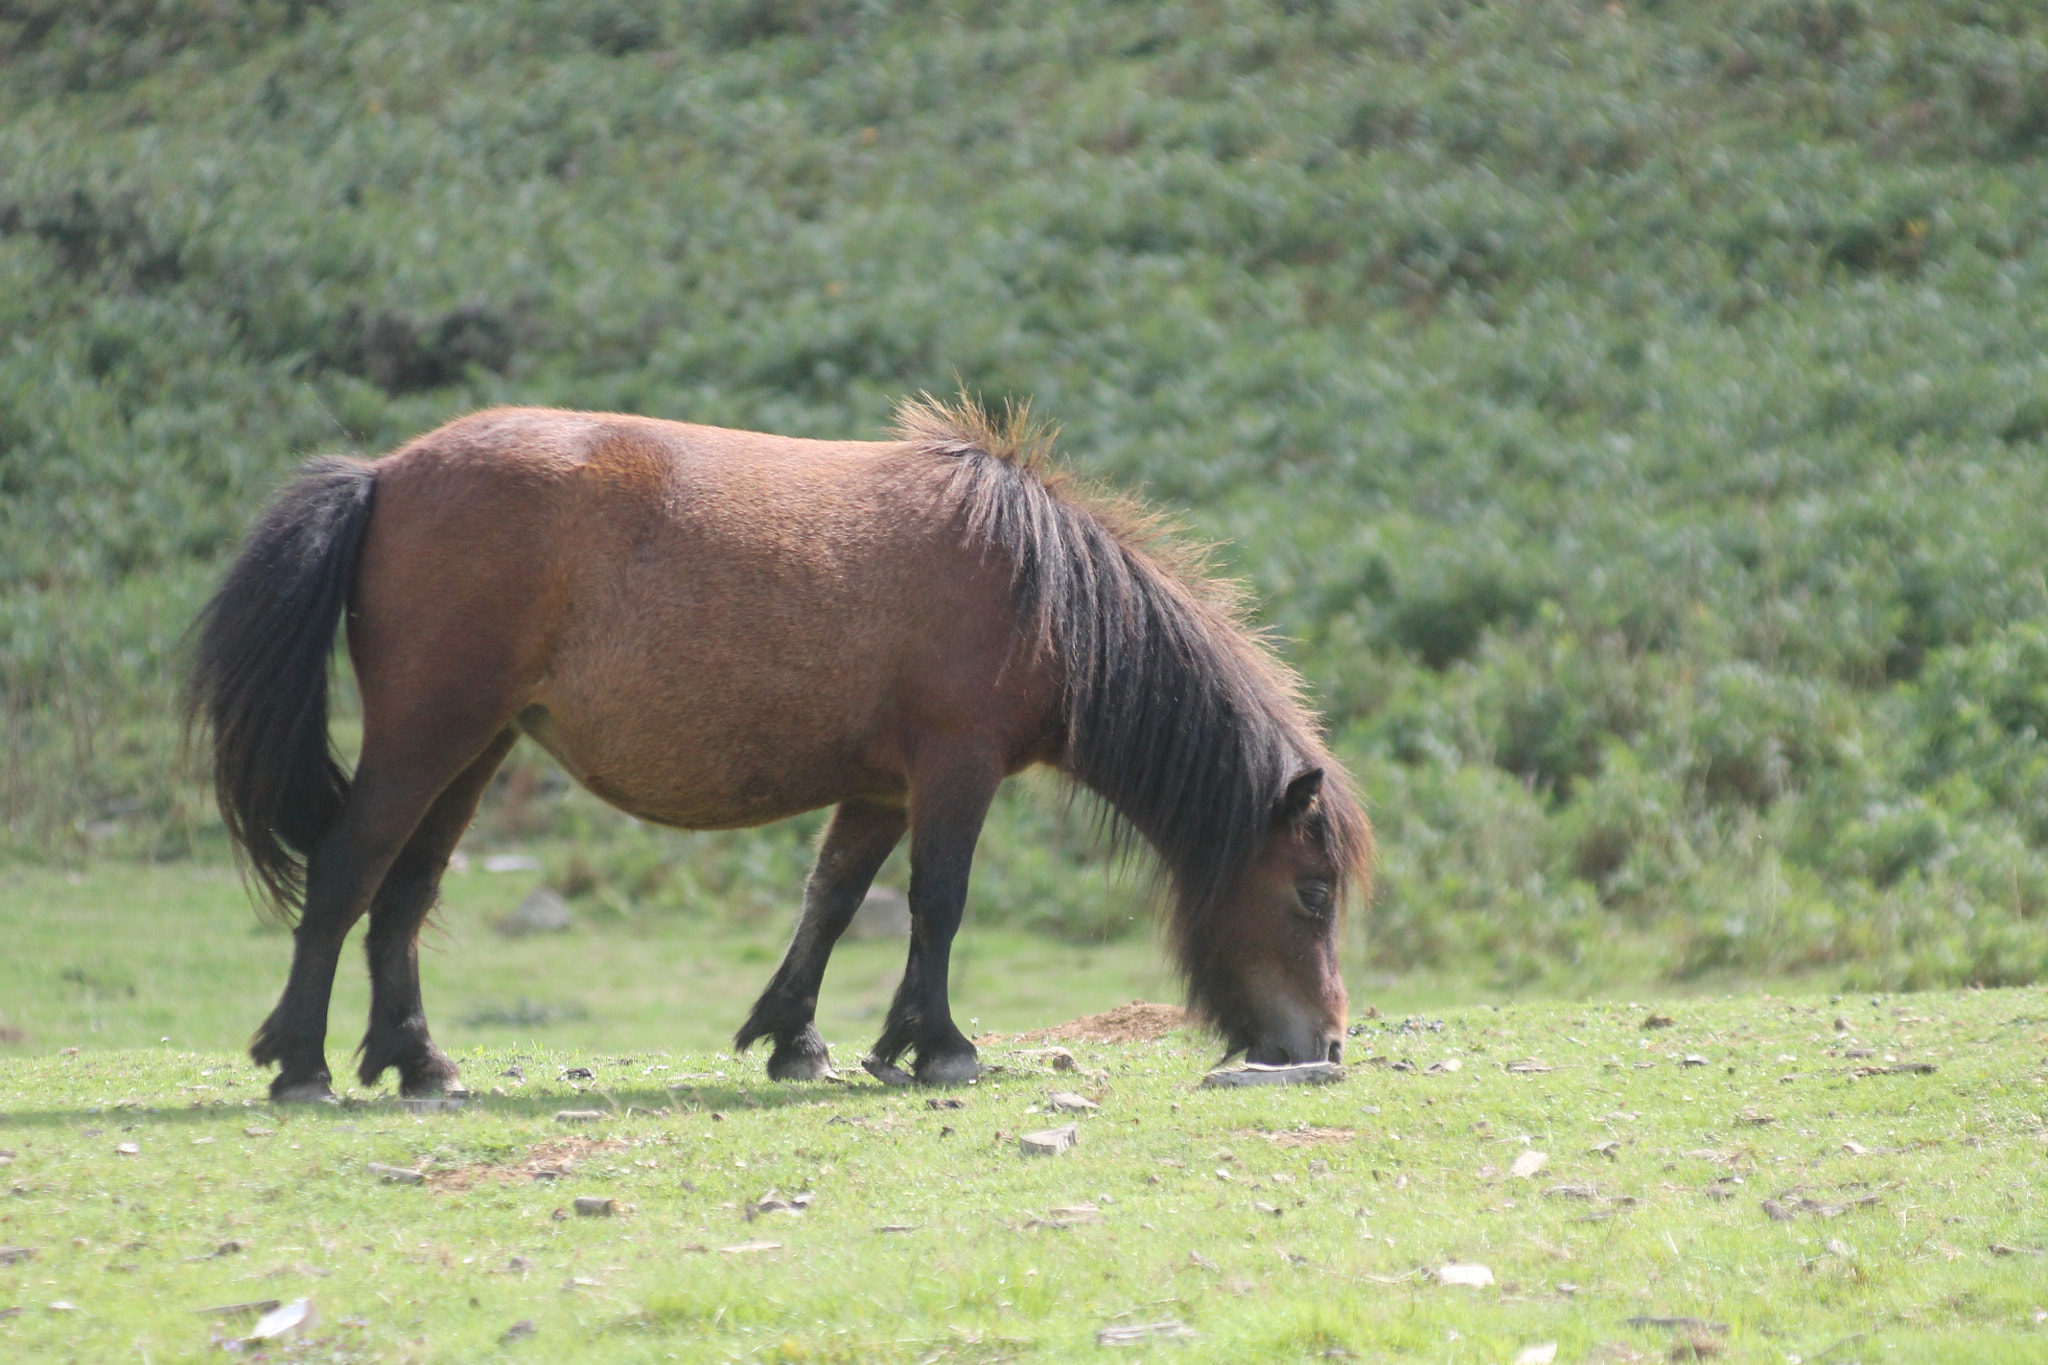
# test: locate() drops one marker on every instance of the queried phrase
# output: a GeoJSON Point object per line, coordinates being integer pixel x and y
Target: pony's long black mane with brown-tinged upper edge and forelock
{"type": "Point", "coordinates": [1177, 715]}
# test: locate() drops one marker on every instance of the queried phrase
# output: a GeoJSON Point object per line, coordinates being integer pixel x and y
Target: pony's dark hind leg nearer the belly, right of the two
{"type": "Point", "coordinates": [398, 1037]}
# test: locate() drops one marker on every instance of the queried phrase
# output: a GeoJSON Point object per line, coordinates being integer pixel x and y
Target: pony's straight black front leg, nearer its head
{"type": "Point", "coordinates": [945, 826]}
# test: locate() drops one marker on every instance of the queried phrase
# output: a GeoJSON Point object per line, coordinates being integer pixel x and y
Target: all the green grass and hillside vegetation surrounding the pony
{"type": "Point", "coordinates": [1631, 421]}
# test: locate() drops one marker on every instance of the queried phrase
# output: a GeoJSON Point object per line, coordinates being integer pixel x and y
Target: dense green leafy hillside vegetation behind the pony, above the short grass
{"type": "Point", "coordinates": [1631, 414]}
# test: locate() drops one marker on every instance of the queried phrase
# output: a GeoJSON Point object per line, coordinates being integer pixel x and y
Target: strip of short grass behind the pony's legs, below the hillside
{"type": "Point", "coordinates": [124, 957]}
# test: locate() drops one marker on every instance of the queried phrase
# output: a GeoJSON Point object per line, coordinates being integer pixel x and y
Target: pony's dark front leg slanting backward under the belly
{"type": "Point", "coordinates": [857, 844]}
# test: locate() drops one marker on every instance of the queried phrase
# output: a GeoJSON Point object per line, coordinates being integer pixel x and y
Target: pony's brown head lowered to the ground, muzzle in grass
{"type": "Point", "coordinates": [1265, 973]}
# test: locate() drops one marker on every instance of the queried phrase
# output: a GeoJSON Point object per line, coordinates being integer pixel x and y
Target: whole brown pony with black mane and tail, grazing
{"type": "Point", "coordinates": [718, 629]}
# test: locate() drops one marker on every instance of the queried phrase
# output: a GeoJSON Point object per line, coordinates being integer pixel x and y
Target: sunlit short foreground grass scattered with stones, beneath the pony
{"type": "Point", "coordinates": [1275, 1225]}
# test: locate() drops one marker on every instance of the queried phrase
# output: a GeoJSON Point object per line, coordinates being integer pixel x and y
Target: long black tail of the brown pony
{"type": "Point", "coordinates": [259, 680]}
